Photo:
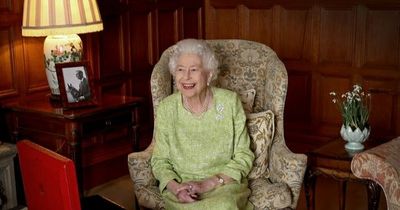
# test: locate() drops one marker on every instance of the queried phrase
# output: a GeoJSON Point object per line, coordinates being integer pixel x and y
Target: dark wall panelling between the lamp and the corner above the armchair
{"type": "Point", "coordinates": [136, 33]}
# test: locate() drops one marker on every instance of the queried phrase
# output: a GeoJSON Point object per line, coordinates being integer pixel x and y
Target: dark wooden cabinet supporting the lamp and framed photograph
{"type": "Point", "coordinates": [97, 138]}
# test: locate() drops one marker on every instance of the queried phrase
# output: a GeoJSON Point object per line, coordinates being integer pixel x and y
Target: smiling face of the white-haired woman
{"type": "Point", "coordinates": [190, 77]}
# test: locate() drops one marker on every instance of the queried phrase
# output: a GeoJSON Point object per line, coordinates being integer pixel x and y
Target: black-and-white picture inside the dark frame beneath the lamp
{"type": "Point", "coordinates": [76, 84]}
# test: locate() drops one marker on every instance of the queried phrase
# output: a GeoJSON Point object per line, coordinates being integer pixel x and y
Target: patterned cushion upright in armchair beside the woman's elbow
{"type": "Point", "coordinates": [261, 129]}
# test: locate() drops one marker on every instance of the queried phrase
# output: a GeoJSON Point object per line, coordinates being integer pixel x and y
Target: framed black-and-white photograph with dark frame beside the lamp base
{"type": "Point", "coordinates": [75, 84]}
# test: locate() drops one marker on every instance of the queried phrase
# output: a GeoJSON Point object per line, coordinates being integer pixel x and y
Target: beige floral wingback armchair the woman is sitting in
{"type": "Point", "coordinates": [244, 65]}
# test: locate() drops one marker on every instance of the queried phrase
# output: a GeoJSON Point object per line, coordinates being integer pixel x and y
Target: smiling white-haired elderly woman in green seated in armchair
{"type": "Point", "coordinates": [202, 153]}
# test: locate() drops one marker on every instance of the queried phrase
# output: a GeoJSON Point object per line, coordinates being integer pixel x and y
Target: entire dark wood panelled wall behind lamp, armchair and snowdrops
{"type": "Point", "coordinates": [326, 45]}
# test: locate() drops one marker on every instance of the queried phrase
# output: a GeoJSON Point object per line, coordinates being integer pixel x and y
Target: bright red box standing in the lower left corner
{"type": "Point", "coordinates": [50, 181]}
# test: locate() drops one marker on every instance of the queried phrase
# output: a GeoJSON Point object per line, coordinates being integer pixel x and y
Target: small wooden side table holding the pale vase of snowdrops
{"type": "Point", "coordinates": [332, 160]}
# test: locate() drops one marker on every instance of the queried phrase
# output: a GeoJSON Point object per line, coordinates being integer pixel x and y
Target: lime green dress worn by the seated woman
{"type": "Point", "coordinates": [192, 147]}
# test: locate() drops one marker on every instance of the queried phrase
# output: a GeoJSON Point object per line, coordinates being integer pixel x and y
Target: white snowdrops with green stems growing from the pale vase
{"type": "Point", "coordinates": [354, 106]}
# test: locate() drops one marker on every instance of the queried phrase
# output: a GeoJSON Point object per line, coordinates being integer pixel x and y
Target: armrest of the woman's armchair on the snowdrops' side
{"type": "Point", "coordinates": [287, 167]}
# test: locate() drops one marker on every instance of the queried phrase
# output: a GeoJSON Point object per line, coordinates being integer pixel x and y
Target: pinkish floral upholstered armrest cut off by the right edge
{"type": "Point", "coordinates": [381, 165]}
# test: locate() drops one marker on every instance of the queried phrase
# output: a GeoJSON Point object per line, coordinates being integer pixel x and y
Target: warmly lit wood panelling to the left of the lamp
{"type": "Point", "coordinates": [16, 81]}
